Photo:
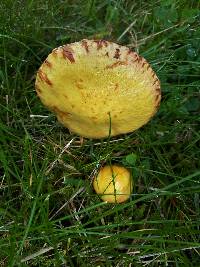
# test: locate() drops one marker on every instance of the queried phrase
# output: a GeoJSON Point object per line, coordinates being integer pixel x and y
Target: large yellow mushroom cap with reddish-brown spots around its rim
{"type": "Point", "coordinates": [98, 87]}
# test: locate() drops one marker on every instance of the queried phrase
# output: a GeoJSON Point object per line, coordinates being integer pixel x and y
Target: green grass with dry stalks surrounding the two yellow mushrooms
{"type": "Point", "coordinates": [49, 213]}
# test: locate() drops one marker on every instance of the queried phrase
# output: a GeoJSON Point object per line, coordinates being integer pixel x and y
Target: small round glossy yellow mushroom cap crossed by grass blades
{"type": "Point", "coordinates": [113, 184]}
